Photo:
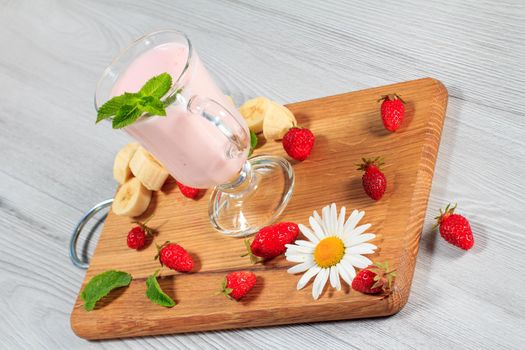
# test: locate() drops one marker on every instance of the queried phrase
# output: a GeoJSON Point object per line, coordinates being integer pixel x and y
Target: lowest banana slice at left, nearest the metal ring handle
{"type": "Point", "coordinates": [132, 199]}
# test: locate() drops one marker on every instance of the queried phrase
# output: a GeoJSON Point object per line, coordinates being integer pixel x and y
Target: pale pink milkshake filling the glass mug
{"type": "Point", "coordinates": [192, 149]}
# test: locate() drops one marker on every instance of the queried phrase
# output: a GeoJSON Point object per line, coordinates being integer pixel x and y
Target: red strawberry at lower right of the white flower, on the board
{"type": "Point", "coordinates": [373, 279]}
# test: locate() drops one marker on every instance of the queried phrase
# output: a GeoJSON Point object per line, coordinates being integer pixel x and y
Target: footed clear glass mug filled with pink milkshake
{"type": "Point", "coordinates": [203, 141]}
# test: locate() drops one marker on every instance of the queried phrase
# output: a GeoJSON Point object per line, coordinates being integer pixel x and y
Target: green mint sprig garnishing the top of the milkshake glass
{"type": "Point", "coordinates": [125, 109]}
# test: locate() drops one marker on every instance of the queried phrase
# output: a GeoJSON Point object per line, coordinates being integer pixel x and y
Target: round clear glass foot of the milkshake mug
{"type": "Point", "coordinates": [255, 200]}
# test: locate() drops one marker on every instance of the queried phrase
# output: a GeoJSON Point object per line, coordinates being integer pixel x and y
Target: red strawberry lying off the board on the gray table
{"type": "Point", "coordinates": [455, 228]}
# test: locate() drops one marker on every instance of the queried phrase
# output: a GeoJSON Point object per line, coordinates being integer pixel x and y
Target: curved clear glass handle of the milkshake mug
{"type": "Point", "coordinates": [217, 114]}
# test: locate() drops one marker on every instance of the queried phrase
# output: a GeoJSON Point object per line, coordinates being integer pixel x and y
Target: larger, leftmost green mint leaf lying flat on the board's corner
{"type": "Point", "coordinates": [100, 285]}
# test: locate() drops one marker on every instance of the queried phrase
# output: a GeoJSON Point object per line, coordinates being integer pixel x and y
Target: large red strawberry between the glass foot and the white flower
{"type": "Point", "coordinates": [270, 241]}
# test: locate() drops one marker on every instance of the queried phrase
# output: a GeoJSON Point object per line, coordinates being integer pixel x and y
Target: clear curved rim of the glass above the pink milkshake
{"type": "Point", "coordinates": [136, 43]}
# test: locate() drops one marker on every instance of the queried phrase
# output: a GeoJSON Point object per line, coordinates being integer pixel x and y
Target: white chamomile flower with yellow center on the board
{"type": "Point", "coordinates": [334, 249]}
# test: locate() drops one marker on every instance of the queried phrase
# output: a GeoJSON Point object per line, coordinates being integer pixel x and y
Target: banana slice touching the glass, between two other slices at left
{"type": "Point", "coordinates": [148, 170]}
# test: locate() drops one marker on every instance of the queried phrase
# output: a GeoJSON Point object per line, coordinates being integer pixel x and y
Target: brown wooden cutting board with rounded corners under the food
{"type": "Point", "coordinates": [347, 128]}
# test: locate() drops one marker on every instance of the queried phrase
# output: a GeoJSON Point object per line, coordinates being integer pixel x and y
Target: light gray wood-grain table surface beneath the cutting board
{"type": "Point", "coordinates": [55, 163]}
